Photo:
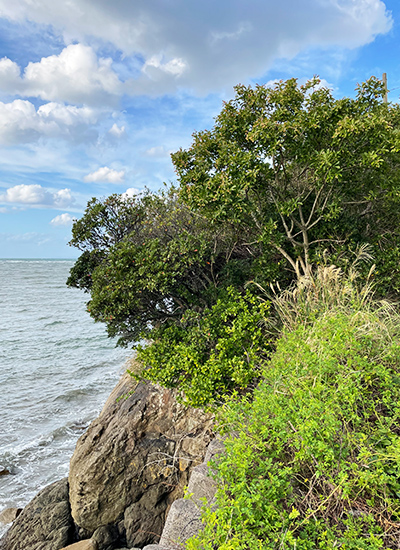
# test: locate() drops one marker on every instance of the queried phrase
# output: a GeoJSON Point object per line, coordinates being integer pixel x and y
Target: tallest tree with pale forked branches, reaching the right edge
{"type": "Point", "coordinates": [304, 170]}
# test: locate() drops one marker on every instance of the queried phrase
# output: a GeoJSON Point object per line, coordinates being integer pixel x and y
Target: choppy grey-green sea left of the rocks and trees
{"type": "Point", "coordinates": [57, 368]}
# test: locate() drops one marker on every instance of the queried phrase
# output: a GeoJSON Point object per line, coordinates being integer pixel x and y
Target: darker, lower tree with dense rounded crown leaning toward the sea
{"type": "Point", "coordinates": [148, 259]}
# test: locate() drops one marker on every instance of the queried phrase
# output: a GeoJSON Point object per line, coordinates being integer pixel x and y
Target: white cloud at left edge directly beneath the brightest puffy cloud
{"type": "Point", "coordinates": [20, 122]}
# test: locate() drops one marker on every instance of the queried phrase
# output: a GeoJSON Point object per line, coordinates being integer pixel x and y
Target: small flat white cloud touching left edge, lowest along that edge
{"type": "Point", "coordinates": [35, 195]}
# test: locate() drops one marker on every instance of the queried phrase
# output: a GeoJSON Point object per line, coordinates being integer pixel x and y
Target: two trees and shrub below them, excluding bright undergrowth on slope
{"type": "Point", "coordinates": [287, 173]}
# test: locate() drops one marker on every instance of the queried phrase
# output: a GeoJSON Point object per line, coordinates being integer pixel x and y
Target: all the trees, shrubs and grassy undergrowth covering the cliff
{"type": "Point", "coordinates": [282, 193]}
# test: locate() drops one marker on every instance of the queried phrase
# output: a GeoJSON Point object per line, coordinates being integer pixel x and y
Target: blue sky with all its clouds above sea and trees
{"type": "Point", "coordinates": [95, 95]}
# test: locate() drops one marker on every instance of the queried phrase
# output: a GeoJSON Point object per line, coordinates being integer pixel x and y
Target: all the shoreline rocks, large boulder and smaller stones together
{"type": "Point", "coordinates": [127, 475]}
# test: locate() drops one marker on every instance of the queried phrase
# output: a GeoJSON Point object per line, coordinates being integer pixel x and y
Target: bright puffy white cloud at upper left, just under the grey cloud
{"type": "Point", "coordinates": [76, 75]}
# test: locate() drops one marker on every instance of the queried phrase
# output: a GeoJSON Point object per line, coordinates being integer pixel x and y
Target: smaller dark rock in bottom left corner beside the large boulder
{"type": "Point", "coordinates": [44, 524]}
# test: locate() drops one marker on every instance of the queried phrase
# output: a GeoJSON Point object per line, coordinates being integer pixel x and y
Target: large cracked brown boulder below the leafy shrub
{"type": "Point", "coordinates": [134, 461]}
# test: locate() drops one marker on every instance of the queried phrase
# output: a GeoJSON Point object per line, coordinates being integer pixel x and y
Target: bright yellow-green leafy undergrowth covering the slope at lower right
{"type": "Point", "coordinates": [313, 459]}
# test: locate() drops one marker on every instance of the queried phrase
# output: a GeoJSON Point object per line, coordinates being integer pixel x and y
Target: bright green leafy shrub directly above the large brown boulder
{"type": "Point", "coordinates": [209, 354]}
